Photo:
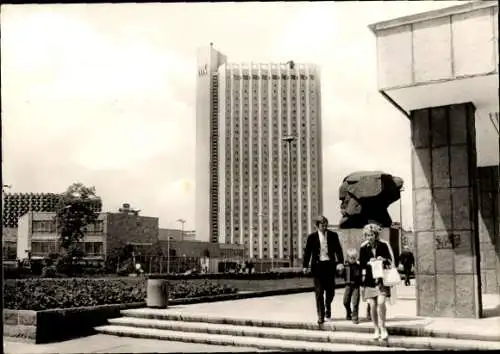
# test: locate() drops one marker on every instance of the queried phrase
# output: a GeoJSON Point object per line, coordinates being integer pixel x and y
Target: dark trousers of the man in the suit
{"type": "Point", "coordinates": [324, 287]}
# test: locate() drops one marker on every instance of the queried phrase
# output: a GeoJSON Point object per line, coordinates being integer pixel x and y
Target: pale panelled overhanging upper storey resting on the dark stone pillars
{"type": "Point", "coordinates": [444, 57]}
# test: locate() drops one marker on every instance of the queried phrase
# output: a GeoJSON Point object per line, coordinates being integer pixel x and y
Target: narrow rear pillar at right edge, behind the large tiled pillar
{"type": "Point", "coordinates": [488, 180]}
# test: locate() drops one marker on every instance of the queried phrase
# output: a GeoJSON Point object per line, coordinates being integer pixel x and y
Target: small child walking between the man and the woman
{"type": "Point", "coordinates": [353, 279]}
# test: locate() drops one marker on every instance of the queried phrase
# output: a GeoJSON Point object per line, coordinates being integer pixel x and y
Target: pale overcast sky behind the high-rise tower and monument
{"type": "Point", "coordinates": [104, 94]}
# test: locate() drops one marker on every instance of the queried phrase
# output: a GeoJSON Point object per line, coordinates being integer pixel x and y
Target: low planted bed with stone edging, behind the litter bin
{"type": "Point", "coordinates": [34, 307]}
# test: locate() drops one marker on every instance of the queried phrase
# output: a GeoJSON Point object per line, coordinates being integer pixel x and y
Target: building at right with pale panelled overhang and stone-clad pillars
{"type": "Point", "coordinates": [440, 68]}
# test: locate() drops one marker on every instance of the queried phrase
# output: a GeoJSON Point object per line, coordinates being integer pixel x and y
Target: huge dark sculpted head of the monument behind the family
{"type": "Point", "coordinates": [365, 197]}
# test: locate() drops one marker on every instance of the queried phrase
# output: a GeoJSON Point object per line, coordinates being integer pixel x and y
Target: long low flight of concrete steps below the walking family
{"type": "Point", "coordinates": [148, 323]}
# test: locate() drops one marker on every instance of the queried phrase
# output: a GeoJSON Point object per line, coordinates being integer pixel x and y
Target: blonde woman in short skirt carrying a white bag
{"type": "Point", "coordinates": [374, 256]}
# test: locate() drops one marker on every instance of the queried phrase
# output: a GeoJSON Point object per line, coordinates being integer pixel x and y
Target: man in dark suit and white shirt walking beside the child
{"type": "Point", "coordinates": [321, 248]}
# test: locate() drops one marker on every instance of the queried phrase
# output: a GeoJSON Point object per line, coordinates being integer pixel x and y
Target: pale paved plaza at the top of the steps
{"type": "Point", "coordinates": [301, 308]}
